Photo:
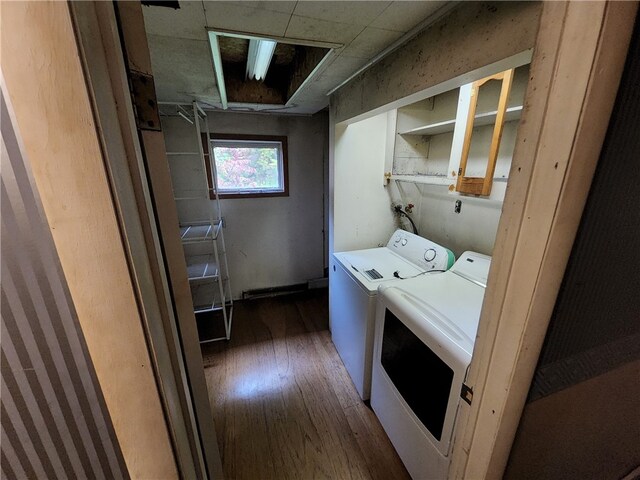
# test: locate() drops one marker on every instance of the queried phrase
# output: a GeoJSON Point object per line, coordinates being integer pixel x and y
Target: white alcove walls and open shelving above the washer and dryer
{"type": "Point", "coordinates": [410, 156]}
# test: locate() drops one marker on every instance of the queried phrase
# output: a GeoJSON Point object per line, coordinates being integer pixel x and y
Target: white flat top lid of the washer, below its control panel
{"type": "Point", "coordinates": [373, 266]}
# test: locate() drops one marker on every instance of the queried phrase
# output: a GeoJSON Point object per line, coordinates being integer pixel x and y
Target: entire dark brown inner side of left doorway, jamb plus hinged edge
{"type": "Point", "coordinates": [141, 189]}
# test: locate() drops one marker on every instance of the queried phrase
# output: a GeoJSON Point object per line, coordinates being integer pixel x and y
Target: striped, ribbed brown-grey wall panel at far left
{"type": "Point", "coordinates": [54, 420]}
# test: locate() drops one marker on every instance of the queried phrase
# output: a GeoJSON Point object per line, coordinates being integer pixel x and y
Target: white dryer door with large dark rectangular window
{"type": "Point", "coordinates": [418, 355]}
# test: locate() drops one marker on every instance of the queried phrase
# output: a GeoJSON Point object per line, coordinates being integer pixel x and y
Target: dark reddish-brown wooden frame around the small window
{"type": "Point", "coordinates": [207, 148]}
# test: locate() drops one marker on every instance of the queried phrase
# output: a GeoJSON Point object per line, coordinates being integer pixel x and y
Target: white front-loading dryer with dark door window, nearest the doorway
{"type": "Point", "coordinates": [424, 337]}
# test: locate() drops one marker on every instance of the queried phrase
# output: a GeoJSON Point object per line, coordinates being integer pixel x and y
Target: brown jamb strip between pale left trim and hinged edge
{"type": "Point", "coordinates": [98, 46]}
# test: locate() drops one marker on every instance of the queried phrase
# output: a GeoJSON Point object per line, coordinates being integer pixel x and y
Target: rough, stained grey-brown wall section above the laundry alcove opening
{"type": "Point", "coordinates": [474, 35]}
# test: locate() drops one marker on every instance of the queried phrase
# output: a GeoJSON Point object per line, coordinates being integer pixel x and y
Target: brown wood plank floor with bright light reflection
{"type": "Point", "coordinates": [283, 403]}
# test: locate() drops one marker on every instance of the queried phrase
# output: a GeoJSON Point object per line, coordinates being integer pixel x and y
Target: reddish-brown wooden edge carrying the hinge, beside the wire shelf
{"type": "Point", "coordinates": [135, 46]}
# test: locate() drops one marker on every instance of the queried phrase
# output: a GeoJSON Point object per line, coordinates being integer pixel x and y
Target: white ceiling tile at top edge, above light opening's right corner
{"type": "Point", "coordinates": [357, 13]}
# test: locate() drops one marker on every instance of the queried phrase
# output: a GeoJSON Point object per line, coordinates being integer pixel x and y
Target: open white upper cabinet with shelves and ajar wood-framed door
{"type": "Point", "coordinates": [463, 138]}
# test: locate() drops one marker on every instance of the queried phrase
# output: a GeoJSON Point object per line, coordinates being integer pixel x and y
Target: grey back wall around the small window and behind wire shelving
{"type": "Point", "coordinates": [270, 241]}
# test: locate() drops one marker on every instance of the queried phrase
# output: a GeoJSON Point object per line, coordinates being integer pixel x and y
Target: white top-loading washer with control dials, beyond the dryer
{"type": "Point", "coordinates": [353, 285]}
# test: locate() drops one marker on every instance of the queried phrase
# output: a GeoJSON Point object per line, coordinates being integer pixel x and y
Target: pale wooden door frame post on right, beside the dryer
{"type": "Point", "coordinates": [576, 68]}
